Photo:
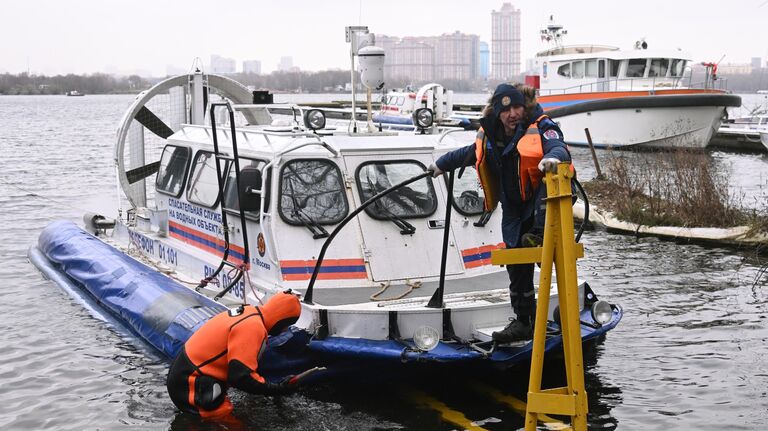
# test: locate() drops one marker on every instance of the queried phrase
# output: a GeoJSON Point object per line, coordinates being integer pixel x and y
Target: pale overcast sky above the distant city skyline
{"type": "Point", "coordinates": [116, 36]}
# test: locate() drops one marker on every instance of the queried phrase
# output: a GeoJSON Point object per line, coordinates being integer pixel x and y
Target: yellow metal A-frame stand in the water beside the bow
{"type": "Point", "coordinates": [559, 248]}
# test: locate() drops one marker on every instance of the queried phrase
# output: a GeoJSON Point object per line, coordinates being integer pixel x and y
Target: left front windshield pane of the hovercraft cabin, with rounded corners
{"type": "Point", "coordinates": [312, 192]}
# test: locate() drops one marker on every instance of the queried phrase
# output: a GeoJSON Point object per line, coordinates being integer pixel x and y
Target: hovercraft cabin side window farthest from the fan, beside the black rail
{"type": "Point", "coordinates": [249, 196]}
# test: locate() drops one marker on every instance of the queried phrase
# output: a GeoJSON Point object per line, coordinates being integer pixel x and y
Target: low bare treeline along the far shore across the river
{"type": "Point", "coordinates": [284, 81]}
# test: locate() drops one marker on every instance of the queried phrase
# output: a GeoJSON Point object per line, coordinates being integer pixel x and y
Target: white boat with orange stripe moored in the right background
{"type": "Point", "coordinates": [635, 97]}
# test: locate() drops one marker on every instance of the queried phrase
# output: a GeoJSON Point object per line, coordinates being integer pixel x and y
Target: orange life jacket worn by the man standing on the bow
{"type": "Point", "coordinates": [531, 152]}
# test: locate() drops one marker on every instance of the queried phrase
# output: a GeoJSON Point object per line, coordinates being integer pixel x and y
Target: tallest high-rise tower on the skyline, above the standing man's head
{"type": "Point", "coordinates": [505, 42]}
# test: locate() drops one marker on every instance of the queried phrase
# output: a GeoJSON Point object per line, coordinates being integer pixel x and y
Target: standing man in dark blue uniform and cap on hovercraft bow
{"type": "Point", "coordinates": [515, 145]}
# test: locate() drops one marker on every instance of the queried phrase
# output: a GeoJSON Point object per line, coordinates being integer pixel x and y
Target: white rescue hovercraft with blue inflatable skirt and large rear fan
{"type": "Point", "coordinates": [250, 208]}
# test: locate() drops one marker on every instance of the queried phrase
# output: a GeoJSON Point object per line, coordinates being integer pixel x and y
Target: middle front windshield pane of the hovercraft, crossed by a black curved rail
{"type": "Point", "coordinates": [415, 200]}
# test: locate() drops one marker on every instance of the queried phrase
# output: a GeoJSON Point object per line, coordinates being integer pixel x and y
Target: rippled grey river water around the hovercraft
{"type": "Point", "coordinates": [689, 354]}
